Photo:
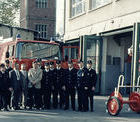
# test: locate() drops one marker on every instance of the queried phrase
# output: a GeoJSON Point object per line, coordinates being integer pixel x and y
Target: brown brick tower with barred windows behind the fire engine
{"type": "Point", "coordinates": [39, 15]}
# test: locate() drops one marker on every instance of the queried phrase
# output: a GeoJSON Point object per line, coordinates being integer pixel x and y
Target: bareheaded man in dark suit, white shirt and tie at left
{"type": "Point", "coordinates": [16, 83]}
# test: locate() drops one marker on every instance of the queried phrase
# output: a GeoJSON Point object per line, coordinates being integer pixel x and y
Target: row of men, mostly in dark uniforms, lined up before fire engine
{"type": "Point", "coordinates": [36, 87]}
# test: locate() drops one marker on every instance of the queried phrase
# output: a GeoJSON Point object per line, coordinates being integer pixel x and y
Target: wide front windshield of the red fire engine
{"type": "Point", "coordinates": [37, 50]}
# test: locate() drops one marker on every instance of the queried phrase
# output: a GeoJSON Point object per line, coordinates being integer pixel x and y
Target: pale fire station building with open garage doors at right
{"type": "Point", "coordinates": [103, 29]}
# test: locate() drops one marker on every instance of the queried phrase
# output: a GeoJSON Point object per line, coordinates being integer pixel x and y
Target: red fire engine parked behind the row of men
{"type": "Point", "coordinates": [26, 51]}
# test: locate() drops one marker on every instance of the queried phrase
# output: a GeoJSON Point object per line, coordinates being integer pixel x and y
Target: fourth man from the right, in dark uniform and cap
{"type": "Point", "coordinates": [58, 86]}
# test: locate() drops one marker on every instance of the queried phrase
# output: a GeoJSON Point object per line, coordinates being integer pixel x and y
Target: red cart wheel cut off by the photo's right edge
{"type": "Point", "coordinates": [135, 106]}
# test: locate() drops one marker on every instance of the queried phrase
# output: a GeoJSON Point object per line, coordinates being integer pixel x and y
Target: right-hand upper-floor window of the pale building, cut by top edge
{"type": "Point", "coordinates": [98, 3]}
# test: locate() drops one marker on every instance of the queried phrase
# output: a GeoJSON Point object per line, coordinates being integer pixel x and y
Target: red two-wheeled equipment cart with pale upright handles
{"type": "Point", "coordinates": [115, 101]}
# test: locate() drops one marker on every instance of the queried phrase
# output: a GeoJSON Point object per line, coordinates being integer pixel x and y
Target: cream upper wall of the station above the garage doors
{"type": "Point", "coordinates": [122, 13]}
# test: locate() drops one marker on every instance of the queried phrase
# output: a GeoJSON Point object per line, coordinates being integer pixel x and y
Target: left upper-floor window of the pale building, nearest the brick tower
{"type": "Point", "coordinates": [77, 7]}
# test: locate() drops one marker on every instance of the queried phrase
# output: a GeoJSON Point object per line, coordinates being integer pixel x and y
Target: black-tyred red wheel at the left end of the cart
{"type": "Point", "coordinates": [114, 106]}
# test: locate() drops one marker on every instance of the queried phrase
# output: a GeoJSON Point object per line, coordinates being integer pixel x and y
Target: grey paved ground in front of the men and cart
{"type": "Point", "coordinates": [99, 115]}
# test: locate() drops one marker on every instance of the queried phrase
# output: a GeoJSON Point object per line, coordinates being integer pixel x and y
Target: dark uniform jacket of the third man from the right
{"type": "Point", "coordinates": [71, 78]}
